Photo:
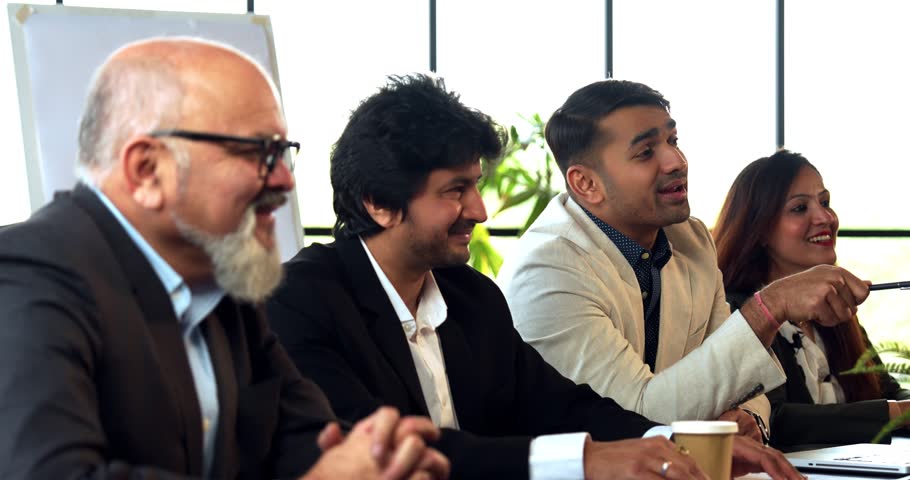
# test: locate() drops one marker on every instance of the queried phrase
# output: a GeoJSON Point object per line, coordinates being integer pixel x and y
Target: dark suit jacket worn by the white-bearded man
{"type": "Point", "coordinates": [95, 381]}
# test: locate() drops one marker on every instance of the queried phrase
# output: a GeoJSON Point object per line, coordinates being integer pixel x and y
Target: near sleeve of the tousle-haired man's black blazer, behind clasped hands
{"type": "Point", "coordinates": [314, 321]}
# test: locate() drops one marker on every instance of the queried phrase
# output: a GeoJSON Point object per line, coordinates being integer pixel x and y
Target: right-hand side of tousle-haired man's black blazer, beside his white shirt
{"type": "Point", "coordinates": [503, 385]}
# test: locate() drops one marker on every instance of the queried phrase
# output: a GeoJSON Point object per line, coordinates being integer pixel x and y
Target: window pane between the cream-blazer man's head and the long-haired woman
{"type": "Point", "coordinates": [714, 61]}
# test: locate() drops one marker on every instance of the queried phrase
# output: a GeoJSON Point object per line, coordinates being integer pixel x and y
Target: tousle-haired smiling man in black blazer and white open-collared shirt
{"type": "Point", "coordinates": [390, 314]}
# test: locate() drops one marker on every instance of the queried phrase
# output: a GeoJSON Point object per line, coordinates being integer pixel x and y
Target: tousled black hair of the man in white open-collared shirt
{"type": "Point", "coordinates": [392, 142]}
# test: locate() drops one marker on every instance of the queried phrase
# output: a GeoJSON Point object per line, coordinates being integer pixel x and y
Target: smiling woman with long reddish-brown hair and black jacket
{"type": "Point", "coordinates": [777, 220]}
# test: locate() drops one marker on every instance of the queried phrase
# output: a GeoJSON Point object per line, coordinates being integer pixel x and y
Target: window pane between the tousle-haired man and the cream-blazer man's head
{"type": "Point", "coordinates": [512, 59]}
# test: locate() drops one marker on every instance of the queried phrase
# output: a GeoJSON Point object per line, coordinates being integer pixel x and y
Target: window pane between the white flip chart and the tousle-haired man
{"type": "Point", "coordinates": [332, 55]}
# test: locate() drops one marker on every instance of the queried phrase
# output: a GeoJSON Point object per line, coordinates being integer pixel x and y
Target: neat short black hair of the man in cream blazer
{"type": "Point", "coordinates": [572, 130]}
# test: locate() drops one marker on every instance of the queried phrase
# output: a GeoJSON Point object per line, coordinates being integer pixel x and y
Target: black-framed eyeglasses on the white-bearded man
{"type": "Point", "coordinates": [270, 150]}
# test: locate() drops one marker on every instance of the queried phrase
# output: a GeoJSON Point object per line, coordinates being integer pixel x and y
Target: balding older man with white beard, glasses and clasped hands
{"type": "Point", "coordinates": [131, 343]}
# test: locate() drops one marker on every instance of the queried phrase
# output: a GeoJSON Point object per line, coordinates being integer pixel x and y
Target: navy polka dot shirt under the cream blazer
{"type": "Point", "coordinates": [646, 265]}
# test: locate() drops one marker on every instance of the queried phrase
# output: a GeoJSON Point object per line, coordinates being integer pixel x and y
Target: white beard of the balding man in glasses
{"type": "Point", "coordinates": [244, 268]}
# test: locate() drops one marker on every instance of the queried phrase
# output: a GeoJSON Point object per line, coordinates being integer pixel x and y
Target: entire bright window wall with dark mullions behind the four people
{"type": "Point", "coordinates": [713, 59]}
